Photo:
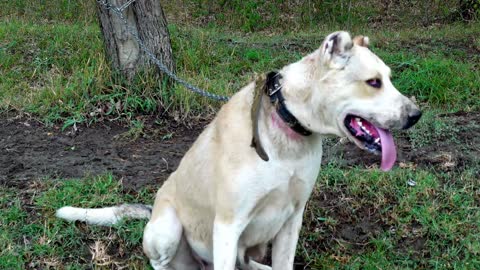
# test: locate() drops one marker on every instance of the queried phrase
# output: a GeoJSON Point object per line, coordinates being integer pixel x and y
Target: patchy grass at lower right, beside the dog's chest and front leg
{"type": "Point", "coordinates": [432, 225]}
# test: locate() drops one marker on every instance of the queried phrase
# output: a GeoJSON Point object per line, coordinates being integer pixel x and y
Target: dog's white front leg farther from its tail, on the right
{"type": "Point", "coordinates": [285, 243]}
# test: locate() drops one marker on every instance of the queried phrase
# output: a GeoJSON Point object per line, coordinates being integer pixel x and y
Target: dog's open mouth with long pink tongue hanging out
{"type": "Point", "coordinates": [373, 139]}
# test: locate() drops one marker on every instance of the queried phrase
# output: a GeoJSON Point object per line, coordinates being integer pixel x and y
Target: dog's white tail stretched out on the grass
{"type": "Point", "coordinates": [105, 216]}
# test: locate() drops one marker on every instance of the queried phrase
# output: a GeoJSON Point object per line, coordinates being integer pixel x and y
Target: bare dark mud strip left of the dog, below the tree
{"type": "Point", "coordinates": [31, 151]}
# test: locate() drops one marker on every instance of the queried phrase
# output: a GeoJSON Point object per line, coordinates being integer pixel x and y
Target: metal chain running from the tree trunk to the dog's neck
{"type": "Point", "coordinates": [161, 66]}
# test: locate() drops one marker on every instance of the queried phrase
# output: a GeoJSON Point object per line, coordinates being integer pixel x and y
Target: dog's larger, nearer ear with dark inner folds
{"type": "Point", "coordinates": [336, 49]}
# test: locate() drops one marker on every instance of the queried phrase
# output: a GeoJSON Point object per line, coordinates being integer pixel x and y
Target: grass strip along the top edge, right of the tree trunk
{"type": "Point", "coordinates": [288, 16]}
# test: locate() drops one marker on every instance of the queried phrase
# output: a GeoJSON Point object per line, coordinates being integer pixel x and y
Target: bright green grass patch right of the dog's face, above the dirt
{"type": "Point", "coordinates": [435, 79]}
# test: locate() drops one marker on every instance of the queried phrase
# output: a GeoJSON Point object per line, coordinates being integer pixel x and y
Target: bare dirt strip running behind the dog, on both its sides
{"type": "Point", "coordinates": [32, 150]}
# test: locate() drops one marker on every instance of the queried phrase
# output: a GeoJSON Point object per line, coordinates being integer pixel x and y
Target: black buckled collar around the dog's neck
{"type": "Point", "coordinates": [273, 90]}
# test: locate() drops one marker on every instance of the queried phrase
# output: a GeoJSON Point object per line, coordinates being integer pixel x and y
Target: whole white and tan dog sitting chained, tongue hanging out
{"type": "Point", "coordinates": [246, 179]}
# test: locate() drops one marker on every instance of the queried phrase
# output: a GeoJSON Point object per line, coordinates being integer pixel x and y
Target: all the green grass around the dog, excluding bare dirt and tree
{"type": "Point", "coordinates": [52, 66]}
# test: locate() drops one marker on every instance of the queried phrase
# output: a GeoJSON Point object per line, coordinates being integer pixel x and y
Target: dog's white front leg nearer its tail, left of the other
{"type": "Point", "coordinates": [225, 243]}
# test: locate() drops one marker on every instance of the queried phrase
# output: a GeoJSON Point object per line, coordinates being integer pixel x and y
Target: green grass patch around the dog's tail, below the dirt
{"type": "Point", "coordinates": [33, 237]}
